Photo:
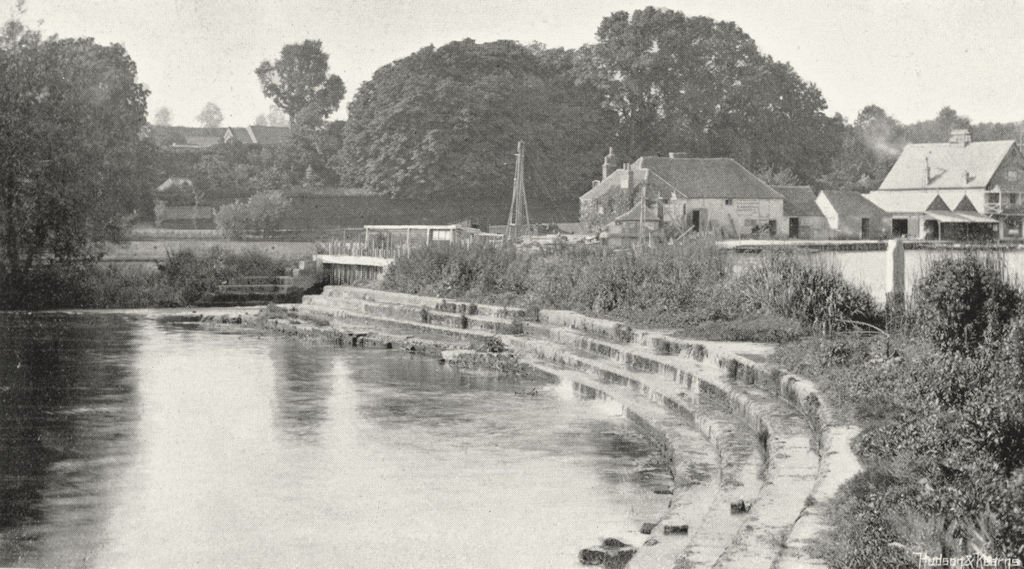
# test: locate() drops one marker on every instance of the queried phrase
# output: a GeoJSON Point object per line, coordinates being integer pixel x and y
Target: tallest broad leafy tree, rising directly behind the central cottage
{"type": "Point", "coordinates": [702, 86]}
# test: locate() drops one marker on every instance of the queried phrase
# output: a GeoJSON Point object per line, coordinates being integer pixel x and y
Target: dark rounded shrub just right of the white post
{"type": "Point", "coordinates": [962, 302]}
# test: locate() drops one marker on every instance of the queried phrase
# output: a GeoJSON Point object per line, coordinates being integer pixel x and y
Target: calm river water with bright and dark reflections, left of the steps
{"type": "Point", "coordinates": [129, 443]}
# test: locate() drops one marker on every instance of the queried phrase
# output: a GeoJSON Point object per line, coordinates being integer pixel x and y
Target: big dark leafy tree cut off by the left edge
{"type": "Point", "coordinates": [71, 114]}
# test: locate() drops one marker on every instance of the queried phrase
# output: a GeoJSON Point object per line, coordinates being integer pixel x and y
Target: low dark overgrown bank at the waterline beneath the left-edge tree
{"type": "Point", "coordinates": [185, 279]}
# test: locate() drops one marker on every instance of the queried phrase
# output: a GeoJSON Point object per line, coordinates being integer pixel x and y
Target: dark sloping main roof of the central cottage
{"type": "Point", "coordinates": [703, 178]}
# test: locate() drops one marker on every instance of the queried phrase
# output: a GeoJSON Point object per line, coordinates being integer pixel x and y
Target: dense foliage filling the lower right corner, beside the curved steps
{"type": "Point", "coordinates": [942, 401]}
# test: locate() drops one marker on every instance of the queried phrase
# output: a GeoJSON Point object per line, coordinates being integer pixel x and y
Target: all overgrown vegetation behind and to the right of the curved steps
{"type": "Point", "coordinates": [937, 385]}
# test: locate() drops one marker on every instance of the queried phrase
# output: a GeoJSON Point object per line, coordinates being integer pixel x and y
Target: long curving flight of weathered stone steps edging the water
{"type": "Point", "coordinates": [690, 379]}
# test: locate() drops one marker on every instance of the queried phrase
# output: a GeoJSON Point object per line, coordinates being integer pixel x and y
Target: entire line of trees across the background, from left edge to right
{"type": "Point", "coordinates": [442, 122]}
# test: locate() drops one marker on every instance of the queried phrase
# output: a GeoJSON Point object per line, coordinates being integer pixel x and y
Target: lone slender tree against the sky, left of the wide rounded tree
{"type": "Point", "coordinates": [298, 82]}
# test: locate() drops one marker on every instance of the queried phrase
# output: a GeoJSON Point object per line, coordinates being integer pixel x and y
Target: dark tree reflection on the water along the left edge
{"type": "Point", "coordinates": [68, 410]}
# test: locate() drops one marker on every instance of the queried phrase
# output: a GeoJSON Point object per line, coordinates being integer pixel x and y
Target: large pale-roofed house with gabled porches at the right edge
{"type": "Point", "coordinates": [959, 190]}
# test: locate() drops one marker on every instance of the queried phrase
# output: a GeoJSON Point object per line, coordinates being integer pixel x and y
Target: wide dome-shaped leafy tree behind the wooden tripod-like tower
{"type": "Point", "coordinates": [446, 122]}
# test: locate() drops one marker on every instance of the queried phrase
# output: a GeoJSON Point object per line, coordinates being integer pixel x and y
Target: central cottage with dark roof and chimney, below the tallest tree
{"type": "Point", "coordinates": [713, 195]}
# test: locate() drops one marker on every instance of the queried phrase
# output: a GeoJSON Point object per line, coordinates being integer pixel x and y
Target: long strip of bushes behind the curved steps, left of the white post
{"type": "Point", "coordinates": [694, 287]}
